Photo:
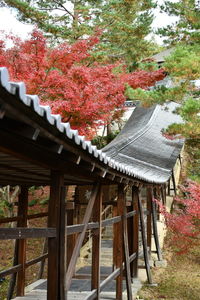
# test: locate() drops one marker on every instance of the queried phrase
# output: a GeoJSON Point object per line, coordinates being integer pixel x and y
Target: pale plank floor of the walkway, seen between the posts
{"type": "Point", "coordinates": [80, 288]}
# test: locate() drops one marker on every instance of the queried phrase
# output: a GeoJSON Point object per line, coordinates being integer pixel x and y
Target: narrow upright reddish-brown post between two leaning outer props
{"type": "Point", "coordinates": [134, 264]}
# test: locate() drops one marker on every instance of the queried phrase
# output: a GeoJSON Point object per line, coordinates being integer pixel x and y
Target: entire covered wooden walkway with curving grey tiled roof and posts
{"type": "Point", "coordinates": [36, 149]}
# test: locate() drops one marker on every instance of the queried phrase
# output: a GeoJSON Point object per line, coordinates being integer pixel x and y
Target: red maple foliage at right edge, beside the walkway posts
{"type": "Point", "coordinates": [184, 221]}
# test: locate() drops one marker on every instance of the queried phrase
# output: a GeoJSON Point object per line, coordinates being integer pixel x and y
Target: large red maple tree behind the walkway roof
{"type": "Point", "coordinates": [83, 93]}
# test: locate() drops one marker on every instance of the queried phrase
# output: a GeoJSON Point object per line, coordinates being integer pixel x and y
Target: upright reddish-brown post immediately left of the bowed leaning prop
{"type": "Point", "coordinates": [118, 241]}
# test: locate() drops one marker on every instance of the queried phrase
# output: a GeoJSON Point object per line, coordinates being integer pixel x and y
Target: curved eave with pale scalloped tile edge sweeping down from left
{"type": "Point", "coordinates": [50, 125]}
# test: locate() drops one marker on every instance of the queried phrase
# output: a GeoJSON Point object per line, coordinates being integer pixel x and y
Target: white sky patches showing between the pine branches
{"type": "Point", "coordinates": [8, 22]}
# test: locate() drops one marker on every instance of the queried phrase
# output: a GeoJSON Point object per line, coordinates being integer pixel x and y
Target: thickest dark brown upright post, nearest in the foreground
{"type": "Point", "coordinates": [56, 246]}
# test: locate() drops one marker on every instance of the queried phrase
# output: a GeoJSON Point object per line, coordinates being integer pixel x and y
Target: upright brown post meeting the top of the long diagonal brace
{"type": "Point", "coordinates": [96, 245]}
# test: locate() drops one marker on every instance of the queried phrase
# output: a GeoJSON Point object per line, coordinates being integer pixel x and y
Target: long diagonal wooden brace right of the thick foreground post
{"type": "Point", "coordinates": [80, 238]}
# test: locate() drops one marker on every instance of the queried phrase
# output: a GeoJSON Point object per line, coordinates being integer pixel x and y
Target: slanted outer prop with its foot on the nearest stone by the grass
{"type": "Point", "coordinates": [144, 241]}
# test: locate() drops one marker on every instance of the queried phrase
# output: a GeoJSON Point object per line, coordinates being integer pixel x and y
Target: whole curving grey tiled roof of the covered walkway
{"type": "Point", "coordinates": [139, 151]}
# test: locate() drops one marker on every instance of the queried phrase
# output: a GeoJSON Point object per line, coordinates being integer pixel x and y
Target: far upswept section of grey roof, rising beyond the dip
{"type": "Point", "coordinates": [141, 144]}
